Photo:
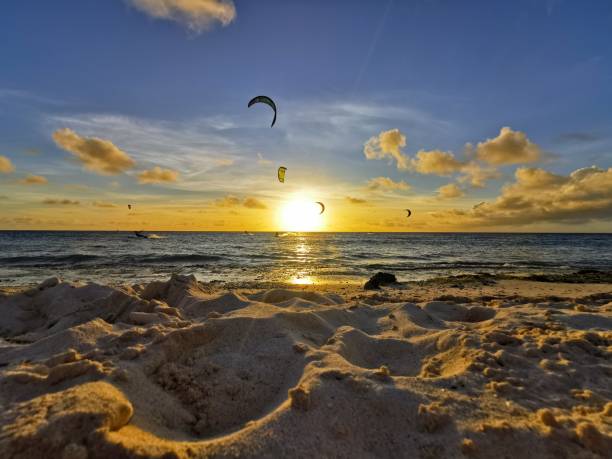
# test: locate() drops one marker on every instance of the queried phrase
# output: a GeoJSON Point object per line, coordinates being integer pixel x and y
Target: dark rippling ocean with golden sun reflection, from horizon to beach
{"type": "Point", "coordinates": [298, 258]}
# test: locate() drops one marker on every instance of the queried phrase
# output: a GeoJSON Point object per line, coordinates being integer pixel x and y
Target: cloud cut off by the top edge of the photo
{"type": "Point", "coordinates": [197, 15]}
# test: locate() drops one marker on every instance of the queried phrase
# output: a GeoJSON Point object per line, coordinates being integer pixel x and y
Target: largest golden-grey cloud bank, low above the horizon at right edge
{"type": "Point", "coordinates": [538, 195]}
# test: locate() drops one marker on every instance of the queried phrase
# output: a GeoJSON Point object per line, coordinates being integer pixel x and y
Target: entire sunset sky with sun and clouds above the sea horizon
{"type": "Point", "coordinates": [476, 115]}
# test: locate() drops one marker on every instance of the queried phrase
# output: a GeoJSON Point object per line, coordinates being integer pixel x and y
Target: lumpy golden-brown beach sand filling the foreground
{"type": "Point", "coordinates": [501, 369]}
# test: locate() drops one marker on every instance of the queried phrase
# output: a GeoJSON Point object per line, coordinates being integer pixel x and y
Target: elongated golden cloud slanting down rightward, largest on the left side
{"type": "Point", "coordinates": [97, 155]}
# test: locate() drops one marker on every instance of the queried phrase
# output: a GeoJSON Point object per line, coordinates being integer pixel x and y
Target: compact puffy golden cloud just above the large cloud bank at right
{"type": "Point", "coordinates": [509, 147]}
